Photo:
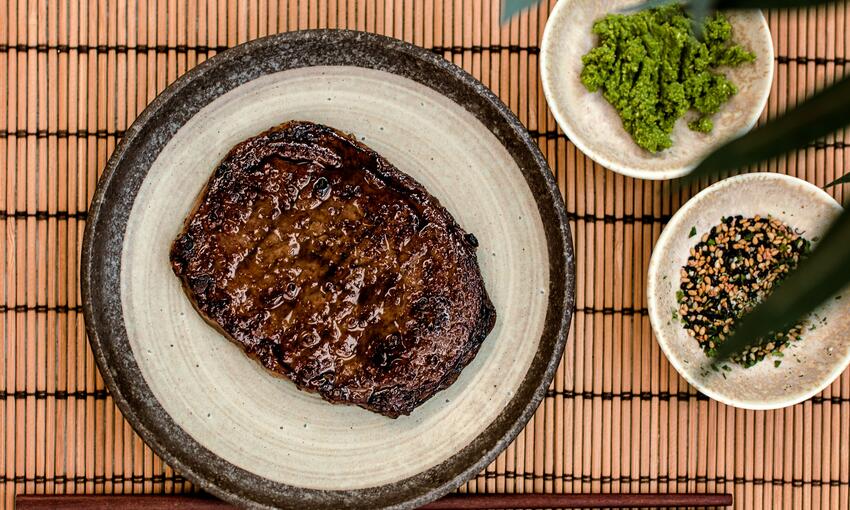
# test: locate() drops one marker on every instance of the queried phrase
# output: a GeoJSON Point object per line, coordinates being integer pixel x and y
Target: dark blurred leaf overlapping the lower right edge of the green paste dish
{"type": "Point", "coordinates": [826, 111]}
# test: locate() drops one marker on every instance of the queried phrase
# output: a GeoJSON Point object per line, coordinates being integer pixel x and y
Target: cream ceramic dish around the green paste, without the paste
{"type": "Point", "coordinates": [595, 127]}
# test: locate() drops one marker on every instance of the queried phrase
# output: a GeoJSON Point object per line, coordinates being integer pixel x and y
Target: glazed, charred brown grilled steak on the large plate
{"type": "Point", "coordinates": [331, 267]}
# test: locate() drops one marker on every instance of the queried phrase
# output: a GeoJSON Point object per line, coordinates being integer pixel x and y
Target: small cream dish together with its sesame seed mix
{"type": "Point", "coordinates": [790, 366]}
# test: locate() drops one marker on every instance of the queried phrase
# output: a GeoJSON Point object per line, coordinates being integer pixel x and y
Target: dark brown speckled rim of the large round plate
{"type": "Point", "coordinates": [125, 172]}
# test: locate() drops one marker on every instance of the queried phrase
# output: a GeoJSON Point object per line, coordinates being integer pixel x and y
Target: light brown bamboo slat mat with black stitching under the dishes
{"type": "Point", "coordinates": [74, 75]}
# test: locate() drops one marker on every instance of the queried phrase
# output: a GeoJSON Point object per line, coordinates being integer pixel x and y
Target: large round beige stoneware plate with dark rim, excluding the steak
{"type": "Point", "coordinates": [217, 416]}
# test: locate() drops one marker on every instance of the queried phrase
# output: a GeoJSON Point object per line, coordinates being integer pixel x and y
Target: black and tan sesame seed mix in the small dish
{"type": "Point", "coordinates": [729, 271]}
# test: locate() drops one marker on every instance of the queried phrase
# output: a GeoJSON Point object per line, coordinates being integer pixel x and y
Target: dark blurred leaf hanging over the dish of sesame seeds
{"type": "Point", "coordinates": [818, 278]}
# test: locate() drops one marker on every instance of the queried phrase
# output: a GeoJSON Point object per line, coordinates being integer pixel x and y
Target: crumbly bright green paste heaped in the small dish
{"type": "Point", "coordinates": [652, 68]}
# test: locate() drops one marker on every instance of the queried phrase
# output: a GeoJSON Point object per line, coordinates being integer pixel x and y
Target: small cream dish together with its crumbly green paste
{"type": "Point", "coordinates": [638, 93]}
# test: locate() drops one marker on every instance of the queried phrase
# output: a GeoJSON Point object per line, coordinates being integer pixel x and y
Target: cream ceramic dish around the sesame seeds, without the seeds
{"type": "Point", "coordinates": [810, 364]}
